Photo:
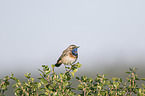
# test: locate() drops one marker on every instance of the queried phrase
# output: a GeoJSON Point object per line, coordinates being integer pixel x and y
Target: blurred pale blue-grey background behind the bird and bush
{"type": "Point", "coordinates": [110, 33]}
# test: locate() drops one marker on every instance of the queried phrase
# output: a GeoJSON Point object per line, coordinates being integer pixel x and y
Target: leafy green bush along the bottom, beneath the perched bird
{"type": "Point", "coordinates": [52, 84]}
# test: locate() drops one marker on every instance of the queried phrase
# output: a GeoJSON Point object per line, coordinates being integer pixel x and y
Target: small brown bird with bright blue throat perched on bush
{"type": "Point", "coordinates": [69, 56]}
